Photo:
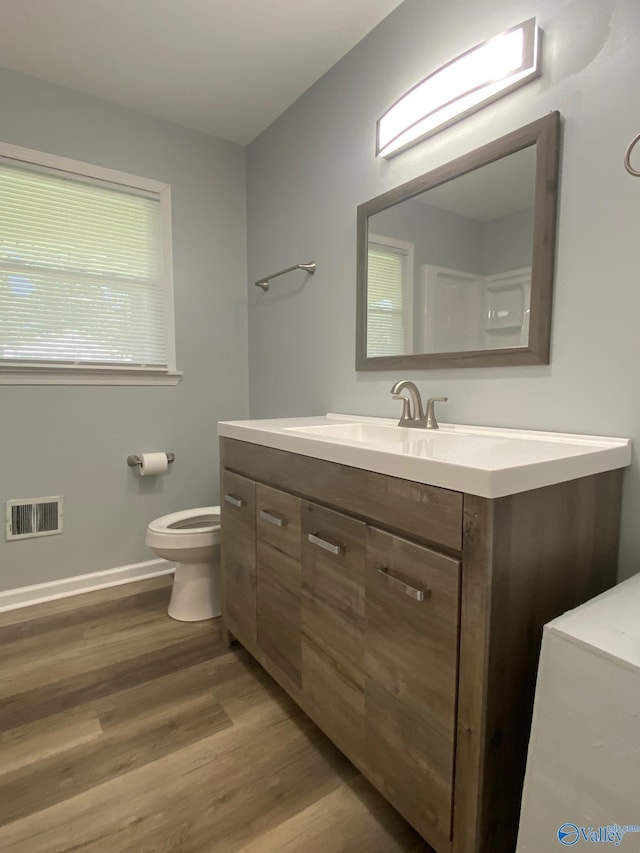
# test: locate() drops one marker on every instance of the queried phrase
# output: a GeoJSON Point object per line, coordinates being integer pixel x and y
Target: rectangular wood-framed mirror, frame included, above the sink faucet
{"type": "Point", "coordinates": [455, 268]}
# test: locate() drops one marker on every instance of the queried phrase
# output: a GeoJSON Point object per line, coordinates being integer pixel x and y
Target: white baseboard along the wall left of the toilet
{"type": "Point", "coordinates": [25, 596]}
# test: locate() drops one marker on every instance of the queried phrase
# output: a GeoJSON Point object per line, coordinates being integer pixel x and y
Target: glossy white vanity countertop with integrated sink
{"type": "Point", "coordinates": [485, 461]}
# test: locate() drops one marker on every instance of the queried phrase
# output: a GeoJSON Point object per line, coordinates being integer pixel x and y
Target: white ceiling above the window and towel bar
{"type": "Point", "coordinates": [224, 67]}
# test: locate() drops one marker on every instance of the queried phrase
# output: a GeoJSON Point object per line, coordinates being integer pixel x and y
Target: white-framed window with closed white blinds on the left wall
{"type": "Point", "coordinates": [86, 291]}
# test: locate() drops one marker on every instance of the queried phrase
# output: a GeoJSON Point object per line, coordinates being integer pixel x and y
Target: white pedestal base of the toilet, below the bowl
{"type": "Point", "coordinates": [196, 592]}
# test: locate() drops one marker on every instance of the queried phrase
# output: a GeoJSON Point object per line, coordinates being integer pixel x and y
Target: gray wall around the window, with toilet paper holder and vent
{"type": "Point", "coordinates": [74, 441]}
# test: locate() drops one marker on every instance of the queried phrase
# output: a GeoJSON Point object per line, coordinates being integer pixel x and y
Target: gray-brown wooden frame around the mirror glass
{"type": "Point", "coordinates": [545, 135]}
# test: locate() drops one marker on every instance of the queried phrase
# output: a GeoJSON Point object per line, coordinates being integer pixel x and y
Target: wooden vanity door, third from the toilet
{"type": "Point", "coordinates": [333, 559]}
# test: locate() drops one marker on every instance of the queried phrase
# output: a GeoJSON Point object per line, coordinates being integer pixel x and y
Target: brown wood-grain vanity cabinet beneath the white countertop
{"type": "Point", "coordinates": [406, 620]}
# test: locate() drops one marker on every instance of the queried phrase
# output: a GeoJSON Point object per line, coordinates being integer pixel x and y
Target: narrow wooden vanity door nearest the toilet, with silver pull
{"type": "Point", "coordinates": [239, 555]}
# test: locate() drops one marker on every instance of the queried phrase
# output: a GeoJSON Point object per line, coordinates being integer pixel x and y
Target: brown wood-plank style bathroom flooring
{"type": "Point", "coordinates": [123, 730]}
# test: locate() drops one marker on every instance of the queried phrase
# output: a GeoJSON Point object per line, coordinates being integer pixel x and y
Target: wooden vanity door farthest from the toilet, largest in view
{"type": "Point", "coordinates": [411, 662]}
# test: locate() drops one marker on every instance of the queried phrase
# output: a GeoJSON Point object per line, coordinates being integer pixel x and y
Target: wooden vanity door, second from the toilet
{"type": "Point", "coordinates": [278, 579]}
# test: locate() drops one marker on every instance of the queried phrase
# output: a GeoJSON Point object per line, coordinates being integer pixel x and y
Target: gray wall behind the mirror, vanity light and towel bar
{"type": "Point", "coordinates": [308, 172]}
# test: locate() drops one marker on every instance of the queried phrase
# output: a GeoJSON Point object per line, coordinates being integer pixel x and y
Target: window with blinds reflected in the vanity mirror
{"type": "Point", "coordinates": [389, 297]}
